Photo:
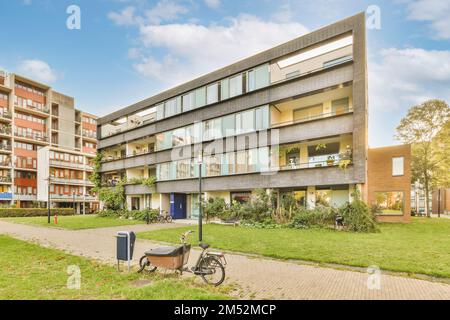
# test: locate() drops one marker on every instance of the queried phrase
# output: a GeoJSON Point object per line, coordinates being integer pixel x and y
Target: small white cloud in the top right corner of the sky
{"type": "Point", "coordinates": [437, 12]}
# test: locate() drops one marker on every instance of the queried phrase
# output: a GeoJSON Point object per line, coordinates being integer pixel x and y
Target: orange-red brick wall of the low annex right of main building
{"type": "Point", "coordinates": [380, 178]}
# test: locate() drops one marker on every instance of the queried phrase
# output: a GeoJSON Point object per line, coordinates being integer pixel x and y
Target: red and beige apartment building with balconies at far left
{"type": "Point", "coordinates": [43, 135]}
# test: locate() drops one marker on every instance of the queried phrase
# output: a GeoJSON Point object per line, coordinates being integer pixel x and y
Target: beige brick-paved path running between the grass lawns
{"type": "Point", "coordinates": [258, 278]}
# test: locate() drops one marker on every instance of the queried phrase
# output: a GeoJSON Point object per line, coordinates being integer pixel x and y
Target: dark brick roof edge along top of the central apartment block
{"type": "Point", "coordinates": [314, 37]}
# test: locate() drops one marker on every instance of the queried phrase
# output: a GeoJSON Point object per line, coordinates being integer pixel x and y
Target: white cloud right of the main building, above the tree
{"type": "Point", "coordinates": [405, 77]}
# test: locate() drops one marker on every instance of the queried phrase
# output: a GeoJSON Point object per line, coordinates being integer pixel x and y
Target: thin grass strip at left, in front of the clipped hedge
{"type": "Point", "coordinates": [75, 222]}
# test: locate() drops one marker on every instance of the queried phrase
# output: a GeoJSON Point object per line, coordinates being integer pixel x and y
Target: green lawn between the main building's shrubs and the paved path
{"type": "Point", "coordinates": [421, 247]}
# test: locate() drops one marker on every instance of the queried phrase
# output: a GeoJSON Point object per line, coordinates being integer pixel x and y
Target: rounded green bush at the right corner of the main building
{"type": "Point", "coordinates": [358, 217]}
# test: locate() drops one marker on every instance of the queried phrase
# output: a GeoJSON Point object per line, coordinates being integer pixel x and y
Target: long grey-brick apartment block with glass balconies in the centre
{"type": "Point", "coordinates": [291, 119]}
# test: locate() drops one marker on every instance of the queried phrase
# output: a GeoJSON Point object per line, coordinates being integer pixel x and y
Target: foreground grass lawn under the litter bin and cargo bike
{"type": "Point", "coordinates": [30, 272]}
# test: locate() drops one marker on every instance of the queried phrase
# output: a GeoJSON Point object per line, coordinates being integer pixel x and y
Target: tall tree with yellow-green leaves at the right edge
{"type": "Point", "coordinates": [425, 127]}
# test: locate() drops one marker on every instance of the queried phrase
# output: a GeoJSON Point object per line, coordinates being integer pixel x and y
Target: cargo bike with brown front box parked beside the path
{"type": "Point", "coordinates": [210, 265]}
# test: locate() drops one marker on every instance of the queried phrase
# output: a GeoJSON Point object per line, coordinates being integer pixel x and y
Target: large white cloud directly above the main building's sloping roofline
{"type": "Point", "coordinates": [194, 49]}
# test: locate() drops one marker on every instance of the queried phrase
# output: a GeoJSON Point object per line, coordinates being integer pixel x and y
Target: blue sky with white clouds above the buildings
{"type": "Point", "coordinates": [127, 50]}
